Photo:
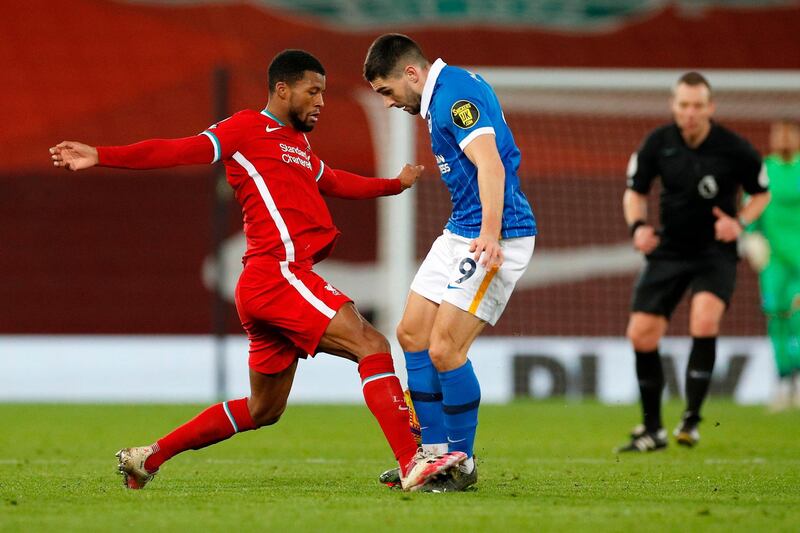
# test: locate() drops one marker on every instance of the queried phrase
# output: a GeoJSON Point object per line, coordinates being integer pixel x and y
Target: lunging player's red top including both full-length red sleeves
{"type": "Point", "coordinates": [276, 177]}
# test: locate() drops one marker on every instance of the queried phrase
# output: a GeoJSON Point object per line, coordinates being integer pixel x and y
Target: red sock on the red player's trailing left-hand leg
{"type": "Point", "coordinates": [218, 422]}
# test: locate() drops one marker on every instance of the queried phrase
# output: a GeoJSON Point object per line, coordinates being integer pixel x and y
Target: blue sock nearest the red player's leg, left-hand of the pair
{"type": "Point", "coordinates": [426, 393]}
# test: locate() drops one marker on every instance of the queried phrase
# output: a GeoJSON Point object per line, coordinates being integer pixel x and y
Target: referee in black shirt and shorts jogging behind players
{"type": "Point", "coordinates": [701, 165]}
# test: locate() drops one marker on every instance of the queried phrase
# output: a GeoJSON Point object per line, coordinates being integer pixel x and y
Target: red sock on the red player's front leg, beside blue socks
{"type": "Point", "coordinates": [384, 397]}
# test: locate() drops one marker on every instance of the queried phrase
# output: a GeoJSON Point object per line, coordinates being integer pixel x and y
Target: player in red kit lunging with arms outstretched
{"type": "Point", "coordinates": [287, 310]}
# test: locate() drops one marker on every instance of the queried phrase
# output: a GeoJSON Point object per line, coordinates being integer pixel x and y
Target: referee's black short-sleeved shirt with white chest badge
{"type": "Point", "coordinates": [693, 180]}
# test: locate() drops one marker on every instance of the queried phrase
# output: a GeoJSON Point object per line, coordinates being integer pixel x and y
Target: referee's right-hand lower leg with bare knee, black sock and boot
{"type": "Point", "coordinates": [705, 315]}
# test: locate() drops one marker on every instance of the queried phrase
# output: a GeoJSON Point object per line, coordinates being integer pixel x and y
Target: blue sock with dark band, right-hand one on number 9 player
{"type": "Point", "coordinates": [461, 395]}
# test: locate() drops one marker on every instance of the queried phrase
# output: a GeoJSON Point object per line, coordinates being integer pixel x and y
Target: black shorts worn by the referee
{"type": "Point", "coordinates": [664, 281]}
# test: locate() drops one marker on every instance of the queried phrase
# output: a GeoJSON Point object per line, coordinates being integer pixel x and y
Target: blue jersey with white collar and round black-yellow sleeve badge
{"type": "Point", "coordinates": [460, 106]}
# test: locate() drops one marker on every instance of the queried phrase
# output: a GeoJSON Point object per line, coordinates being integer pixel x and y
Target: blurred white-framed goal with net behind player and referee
{"type": "Point", "coordinates": [576, 129]}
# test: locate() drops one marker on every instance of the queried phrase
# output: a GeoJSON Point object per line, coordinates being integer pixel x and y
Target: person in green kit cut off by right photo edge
{"type": "Point", "coordinates": [772, 245]}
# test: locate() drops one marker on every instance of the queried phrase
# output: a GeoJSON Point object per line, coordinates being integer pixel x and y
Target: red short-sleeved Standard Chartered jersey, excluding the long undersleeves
{"type": "Point", "coordinates": [274, 175]}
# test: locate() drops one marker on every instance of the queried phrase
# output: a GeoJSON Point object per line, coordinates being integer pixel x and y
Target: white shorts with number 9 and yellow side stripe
{"type": "Point", "coordinates": [449, 274]}
